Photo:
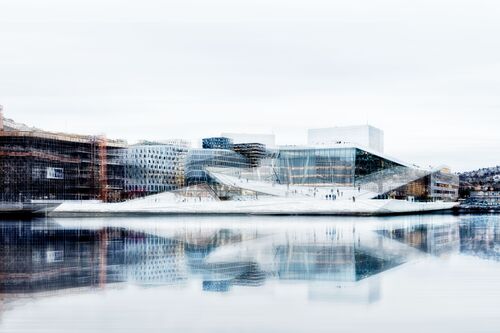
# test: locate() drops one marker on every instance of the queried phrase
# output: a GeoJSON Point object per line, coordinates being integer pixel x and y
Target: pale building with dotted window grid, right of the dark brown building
{"type": "Point", "coordinates": [152, 167]}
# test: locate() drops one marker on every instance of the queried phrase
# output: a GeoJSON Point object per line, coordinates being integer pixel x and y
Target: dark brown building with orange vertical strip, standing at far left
{"type": "Point", "coordinates": [40, 165]}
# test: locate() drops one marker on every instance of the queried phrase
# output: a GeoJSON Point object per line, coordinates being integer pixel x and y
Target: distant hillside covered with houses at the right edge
{"type": "Point", "coordinates": [485, 179]}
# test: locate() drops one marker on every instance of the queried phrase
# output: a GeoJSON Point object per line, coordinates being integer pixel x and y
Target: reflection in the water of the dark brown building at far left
{"type": "Point", "coordinates": [46, 259]}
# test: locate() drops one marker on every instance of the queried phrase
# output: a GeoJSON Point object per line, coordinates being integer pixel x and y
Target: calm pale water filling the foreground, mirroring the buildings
{"type": "Point", "coordinates": [430, 273]}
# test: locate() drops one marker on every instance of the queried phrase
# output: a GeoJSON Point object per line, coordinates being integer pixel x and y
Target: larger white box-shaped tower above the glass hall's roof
{"type": "Point", "coordinates": [364, 135]}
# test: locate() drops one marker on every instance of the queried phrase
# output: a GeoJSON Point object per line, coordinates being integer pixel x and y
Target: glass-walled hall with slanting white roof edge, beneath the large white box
{"type": "Point", "coordinates": [350, 165]}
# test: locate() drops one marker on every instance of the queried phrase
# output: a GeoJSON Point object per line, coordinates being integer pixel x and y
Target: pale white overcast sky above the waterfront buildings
{"type": "Point", "coordinates": [427, 72]}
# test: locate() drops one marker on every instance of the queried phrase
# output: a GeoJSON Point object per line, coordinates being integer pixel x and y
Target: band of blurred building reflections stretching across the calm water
{"type": "Point", "coordinates": [337, 262]}
